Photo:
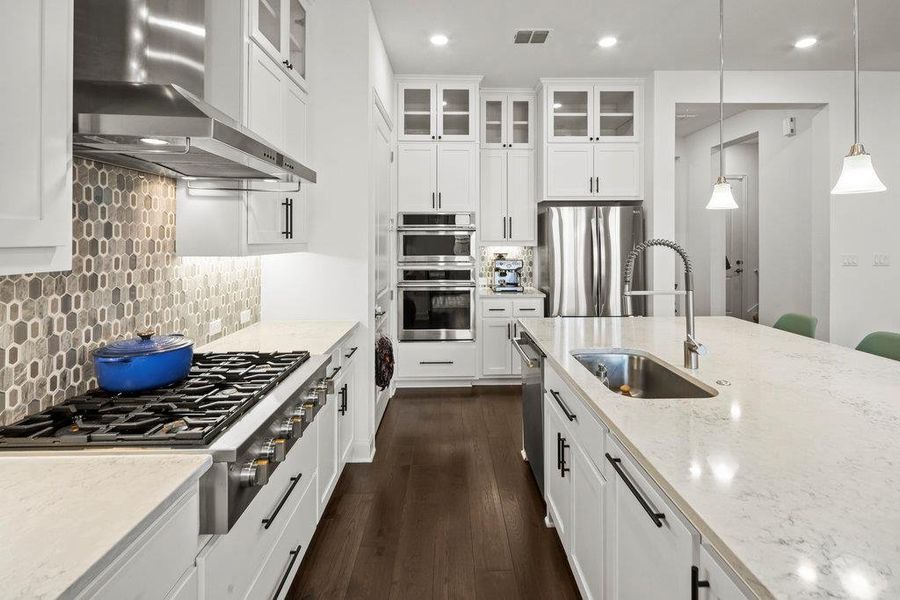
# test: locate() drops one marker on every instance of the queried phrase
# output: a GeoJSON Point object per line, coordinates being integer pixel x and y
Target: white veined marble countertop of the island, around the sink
{"type": "Point", "coordinates": [792, 473]}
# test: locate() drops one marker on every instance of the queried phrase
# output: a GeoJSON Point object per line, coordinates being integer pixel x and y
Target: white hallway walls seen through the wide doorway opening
{"type": "Point", "coordinates": [785, 206]}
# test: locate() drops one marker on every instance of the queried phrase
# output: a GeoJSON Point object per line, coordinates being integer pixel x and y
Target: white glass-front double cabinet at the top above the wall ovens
{"type": "Point", "coordinates": [438, 110]}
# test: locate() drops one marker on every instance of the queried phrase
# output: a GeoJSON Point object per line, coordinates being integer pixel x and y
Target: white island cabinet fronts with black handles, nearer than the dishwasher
{"type": "Point", "coordinates": [623, 538]}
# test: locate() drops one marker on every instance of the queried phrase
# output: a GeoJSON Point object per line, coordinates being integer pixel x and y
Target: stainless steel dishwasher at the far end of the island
{"type": "Point", "coordinates": [532, 405]}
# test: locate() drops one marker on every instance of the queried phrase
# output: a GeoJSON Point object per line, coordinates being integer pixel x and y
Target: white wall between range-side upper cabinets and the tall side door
{"type": "Point", "coordinates": [334, 279]}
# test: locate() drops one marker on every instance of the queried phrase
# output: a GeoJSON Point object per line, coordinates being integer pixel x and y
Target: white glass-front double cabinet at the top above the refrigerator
{"type": "Point", "coordinates": [593, 111]}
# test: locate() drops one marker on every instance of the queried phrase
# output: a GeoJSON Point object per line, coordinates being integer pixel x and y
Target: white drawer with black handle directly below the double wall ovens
{"type": "Point", "coordinates": [436, 359]}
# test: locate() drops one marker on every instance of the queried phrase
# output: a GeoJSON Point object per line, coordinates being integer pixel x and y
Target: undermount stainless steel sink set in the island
{"type": "Point", "coordinates": [637, 374]}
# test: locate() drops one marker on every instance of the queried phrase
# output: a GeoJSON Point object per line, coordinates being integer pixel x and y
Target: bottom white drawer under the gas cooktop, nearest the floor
{"type": "Point", "coordinates": [279, 567]}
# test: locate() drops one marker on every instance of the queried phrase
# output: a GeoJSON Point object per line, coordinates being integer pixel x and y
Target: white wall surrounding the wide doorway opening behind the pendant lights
{"type": "Point", "coordinates": [859, 299]}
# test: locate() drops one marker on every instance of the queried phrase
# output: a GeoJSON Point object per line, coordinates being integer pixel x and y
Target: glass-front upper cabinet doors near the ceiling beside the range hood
{"type": "Point", "coordinates": [279, 27]}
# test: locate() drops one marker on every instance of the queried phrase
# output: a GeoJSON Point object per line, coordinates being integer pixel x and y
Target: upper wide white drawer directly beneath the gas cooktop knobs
{"type": "Point", "coordinates": [231, 561]}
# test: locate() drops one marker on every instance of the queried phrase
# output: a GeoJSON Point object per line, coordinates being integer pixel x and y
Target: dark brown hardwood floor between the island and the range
{"type": "Point", "coordinates": [448, 509]}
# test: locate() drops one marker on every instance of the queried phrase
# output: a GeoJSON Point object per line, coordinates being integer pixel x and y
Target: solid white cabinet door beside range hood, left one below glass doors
{"type": "Point", "coordinates": [265, 100]}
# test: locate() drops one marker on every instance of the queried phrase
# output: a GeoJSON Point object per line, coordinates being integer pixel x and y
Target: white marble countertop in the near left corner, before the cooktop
{"type": "Point", "coordinates": [65, 517]}
